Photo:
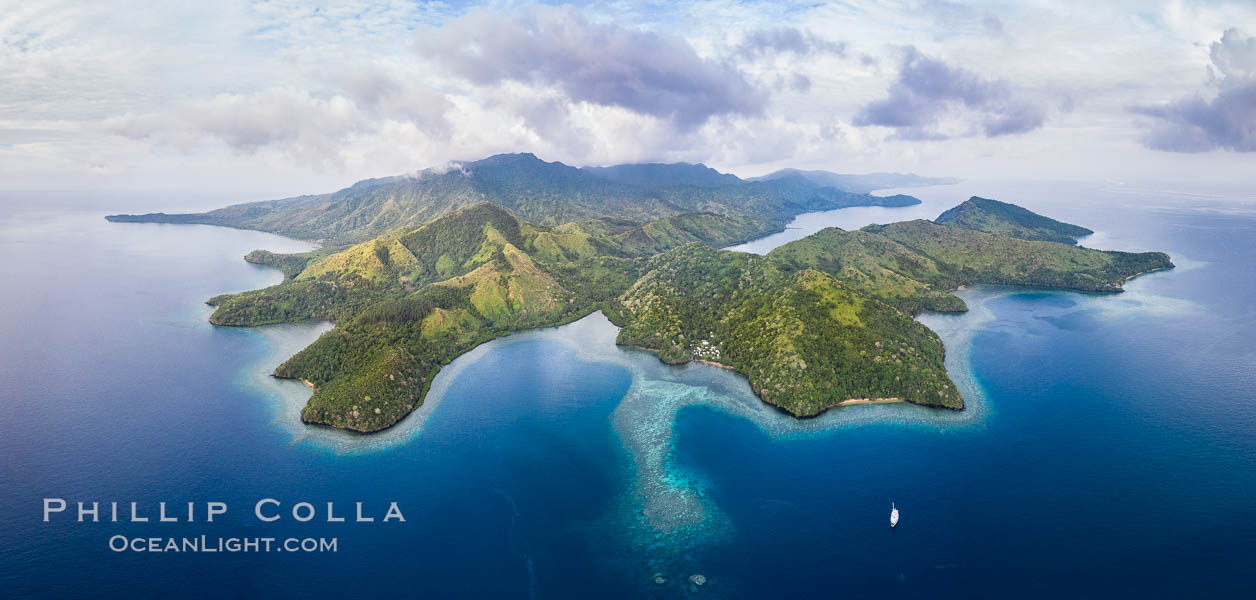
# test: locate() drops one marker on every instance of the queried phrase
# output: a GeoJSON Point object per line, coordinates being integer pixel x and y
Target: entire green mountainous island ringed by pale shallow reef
{"type": "Point", "coordinates": [438, 264]}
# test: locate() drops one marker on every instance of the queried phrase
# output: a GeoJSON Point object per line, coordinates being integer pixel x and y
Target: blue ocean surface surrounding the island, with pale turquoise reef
{"type": "Point", "coordinates": [1108, 447]}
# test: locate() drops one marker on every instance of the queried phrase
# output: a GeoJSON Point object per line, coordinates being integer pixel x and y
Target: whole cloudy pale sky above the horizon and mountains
{"type": "Point", "coordinates": [279, 99]}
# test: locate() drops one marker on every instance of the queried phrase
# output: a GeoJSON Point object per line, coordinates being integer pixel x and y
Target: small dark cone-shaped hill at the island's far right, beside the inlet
{"type": "Point", "coordinates": [993, 217]}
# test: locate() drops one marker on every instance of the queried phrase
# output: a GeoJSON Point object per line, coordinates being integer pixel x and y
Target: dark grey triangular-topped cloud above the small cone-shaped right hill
{"type": "Point", "coordinates": [935, 101]}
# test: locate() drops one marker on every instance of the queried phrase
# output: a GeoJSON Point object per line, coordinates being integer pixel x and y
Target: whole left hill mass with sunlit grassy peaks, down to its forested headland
{"type": "Point", "coordinates": [405, 306]}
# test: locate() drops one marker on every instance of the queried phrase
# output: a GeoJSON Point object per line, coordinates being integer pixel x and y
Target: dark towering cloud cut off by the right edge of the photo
{"type": "Point", "coordinates": [1228, 120]}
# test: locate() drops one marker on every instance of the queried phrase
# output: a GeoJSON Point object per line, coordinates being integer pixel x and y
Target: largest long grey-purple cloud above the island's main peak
{"type": "Point", "coordinates": [646, 72]}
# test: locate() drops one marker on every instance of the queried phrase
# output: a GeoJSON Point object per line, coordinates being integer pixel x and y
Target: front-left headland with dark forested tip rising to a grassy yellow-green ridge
{"type": "Point", "coordinates": [376, 368]}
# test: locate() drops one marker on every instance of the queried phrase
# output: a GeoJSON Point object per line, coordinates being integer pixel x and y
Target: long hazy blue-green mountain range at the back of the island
{"type": "Point", "coordinates": [542, 193]}
